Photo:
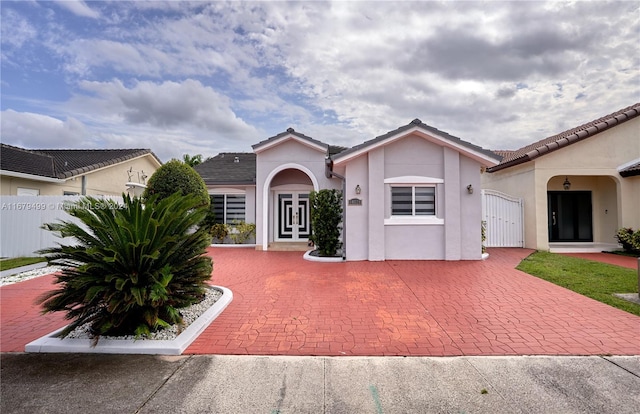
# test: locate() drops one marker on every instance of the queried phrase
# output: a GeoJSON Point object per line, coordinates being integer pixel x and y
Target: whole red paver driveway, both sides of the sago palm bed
{"type": "Point", "coordinates": [284, 305]}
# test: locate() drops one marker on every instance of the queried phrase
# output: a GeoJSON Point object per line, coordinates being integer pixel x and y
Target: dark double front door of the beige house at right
{"type": "Point", "coordinates": [570, 216]}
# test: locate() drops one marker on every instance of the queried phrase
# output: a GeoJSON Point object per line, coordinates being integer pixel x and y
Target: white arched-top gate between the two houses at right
{"type": "Point", "coordinates": [504, 218]}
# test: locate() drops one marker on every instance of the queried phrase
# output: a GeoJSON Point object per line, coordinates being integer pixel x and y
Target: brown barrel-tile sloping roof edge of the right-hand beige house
{"type": "Point", "coordinates": [563, 139]}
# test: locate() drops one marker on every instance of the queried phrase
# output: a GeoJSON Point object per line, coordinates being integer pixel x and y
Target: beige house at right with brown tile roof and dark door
{"type": "Point", "coordinates": [579, 187]}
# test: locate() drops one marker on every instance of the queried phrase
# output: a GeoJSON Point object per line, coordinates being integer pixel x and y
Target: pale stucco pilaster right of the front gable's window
{"type": "Point", "coordinates": [452, 216]}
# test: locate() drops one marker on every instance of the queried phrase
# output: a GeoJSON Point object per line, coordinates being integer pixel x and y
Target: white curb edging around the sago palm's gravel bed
{"type": "Point", "coordinates": [50, 343]}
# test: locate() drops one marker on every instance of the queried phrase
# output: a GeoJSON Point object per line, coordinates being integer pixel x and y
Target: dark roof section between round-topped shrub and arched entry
{"type": "Point", "coordinates": [223, 169]}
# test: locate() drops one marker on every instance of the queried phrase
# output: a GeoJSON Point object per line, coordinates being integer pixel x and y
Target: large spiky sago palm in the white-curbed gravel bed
{"type": "Point", "coordinates": [132, 266]}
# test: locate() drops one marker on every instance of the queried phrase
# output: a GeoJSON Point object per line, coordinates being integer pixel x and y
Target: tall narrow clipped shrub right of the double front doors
{"type": "Point", "coordinates": [326, 218]}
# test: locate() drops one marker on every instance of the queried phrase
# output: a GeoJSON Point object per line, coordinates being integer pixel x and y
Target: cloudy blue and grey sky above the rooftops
{"type": "Point", "coordinates": [208, 77]}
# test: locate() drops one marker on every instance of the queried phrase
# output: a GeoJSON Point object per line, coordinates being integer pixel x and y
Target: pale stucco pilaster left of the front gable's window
{"type": "Point", "coordinates": [376, 205]}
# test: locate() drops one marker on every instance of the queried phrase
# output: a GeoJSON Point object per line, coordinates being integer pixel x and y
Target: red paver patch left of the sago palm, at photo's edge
{"type": "Point", "coordinates": [20, 319]}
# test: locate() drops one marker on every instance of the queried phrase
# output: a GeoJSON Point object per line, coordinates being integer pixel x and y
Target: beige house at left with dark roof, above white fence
{"type": "Point", "coordinates": [74, 172]}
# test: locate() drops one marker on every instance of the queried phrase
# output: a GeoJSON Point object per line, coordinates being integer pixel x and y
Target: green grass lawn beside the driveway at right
{"type": "Point", "coordinates": [596, 280]}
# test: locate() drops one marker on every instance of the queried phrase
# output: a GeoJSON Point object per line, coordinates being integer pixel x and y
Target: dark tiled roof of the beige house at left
{"type": "Point", "coordinates": [63, 164]}
